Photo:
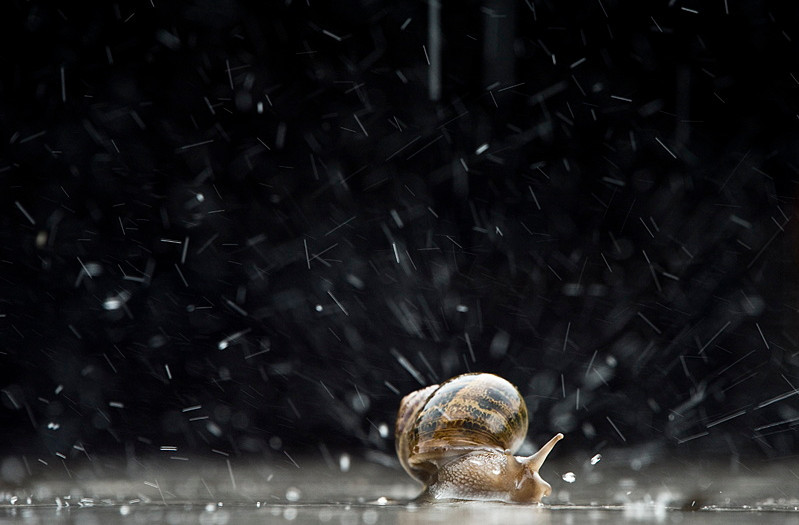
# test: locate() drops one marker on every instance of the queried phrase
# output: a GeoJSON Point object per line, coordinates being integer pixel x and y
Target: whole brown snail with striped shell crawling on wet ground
{"type": "Point", "coordinates": [458, 438]}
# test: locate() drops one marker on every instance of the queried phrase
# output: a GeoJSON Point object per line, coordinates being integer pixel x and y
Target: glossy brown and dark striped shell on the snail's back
{"type": "Point", "coordinates": [467, 412]}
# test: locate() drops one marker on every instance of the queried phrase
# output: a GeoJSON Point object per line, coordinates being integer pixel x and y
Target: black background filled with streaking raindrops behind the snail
{"type": "Point", "coordinates": [246, 227]}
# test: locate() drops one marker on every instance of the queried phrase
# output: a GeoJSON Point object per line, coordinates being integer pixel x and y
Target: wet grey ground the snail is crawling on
{"type": "Point", "coordinates": [349, 490]}
